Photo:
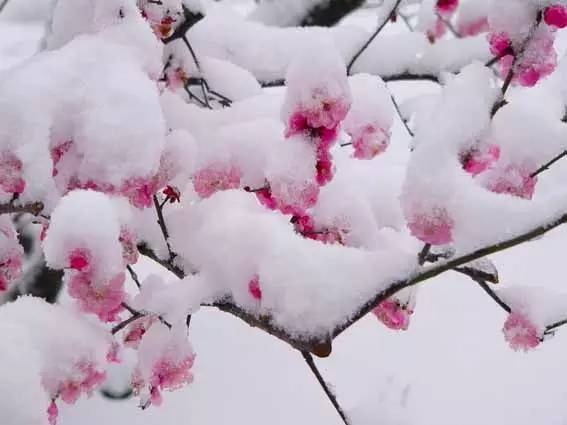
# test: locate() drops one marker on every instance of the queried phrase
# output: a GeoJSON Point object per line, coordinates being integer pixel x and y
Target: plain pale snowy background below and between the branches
{"type": "Point", "coordinates": [451, 367]}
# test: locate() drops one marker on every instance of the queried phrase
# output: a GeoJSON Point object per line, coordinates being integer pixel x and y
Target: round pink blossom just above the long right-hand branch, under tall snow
{"type": "Point", "coordinates": [433, 227]}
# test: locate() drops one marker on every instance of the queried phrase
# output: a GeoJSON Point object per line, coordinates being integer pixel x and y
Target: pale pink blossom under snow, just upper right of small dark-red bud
{"type": "Point", "coordinates": [216, 177]}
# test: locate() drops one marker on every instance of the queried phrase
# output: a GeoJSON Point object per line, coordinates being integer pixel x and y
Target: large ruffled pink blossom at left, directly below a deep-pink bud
{"type": "Point", "coordinates": [103, 298]}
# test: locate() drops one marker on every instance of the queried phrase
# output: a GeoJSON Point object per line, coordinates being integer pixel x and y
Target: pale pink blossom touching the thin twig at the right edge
{"type": "Point", "coordinates": [513, 180]}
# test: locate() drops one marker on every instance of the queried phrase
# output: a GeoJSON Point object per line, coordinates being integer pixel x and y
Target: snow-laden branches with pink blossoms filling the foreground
{"type": "Point", "coordinates": [142, 128]}
